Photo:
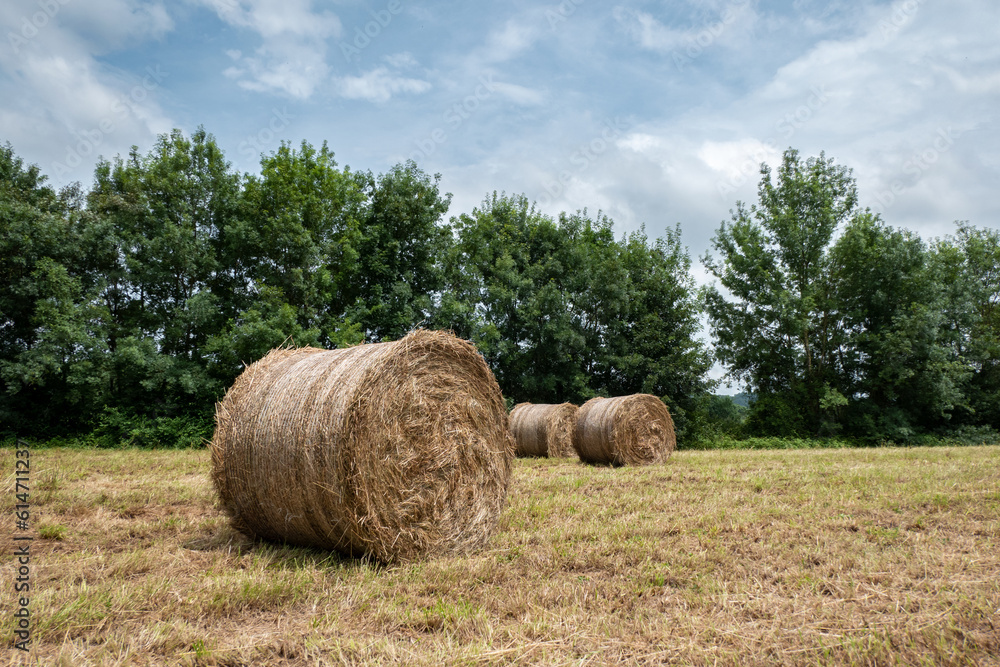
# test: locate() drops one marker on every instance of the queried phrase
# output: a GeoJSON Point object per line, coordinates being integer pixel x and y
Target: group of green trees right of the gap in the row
{"type": "Point", "coordinates": [841, 323]}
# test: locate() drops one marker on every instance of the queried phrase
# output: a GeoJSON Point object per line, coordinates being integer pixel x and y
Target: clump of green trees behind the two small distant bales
{"type": "Point", "coordinates": [563, 312]}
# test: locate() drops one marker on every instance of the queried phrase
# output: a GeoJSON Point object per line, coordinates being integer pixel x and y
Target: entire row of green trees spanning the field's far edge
{"type": "Point", "coordinates": [127, 309]}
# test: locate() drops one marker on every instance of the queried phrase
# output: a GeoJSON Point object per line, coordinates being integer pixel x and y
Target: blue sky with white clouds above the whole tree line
{"type": "Point", "coordinates": [656, 113]}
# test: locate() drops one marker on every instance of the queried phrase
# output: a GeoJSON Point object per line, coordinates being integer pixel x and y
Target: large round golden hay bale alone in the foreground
{"type": "Point", "coordinates": [393, 450]}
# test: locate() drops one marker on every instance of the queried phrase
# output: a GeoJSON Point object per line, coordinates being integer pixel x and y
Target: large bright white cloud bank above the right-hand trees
{"type": "Point", "coordinates": [908, 109]}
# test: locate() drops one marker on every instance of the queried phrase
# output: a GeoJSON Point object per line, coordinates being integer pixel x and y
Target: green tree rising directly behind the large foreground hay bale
{"type": "Point", "coordinates": [290, 259]}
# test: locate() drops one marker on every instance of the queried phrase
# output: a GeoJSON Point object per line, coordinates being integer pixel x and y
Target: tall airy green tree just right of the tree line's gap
{"type": "Point", "coordinates": [776, 331]}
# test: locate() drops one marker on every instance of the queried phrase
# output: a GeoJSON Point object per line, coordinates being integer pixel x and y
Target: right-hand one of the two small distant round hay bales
{"type": "Point", "coordinates": [627, 430]}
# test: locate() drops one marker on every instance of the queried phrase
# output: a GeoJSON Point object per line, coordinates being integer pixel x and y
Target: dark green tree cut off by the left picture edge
{"type": "Point", "coordinates": [52, 361]}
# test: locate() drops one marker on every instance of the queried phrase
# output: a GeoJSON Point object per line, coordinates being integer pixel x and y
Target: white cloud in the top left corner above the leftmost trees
{"type": "Point", "coordinates": [60, 101]}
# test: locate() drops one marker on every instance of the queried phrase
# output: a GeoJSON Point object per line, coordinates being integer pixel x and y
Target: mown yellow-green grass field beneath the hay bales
{"type": "Point", "coordinates": [861, 556]}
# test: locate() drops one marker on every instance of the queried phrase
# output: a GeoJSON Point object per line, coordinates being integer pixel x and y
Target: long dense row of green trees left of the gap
{"type": "Point", "coordinates": [132, 306]}
